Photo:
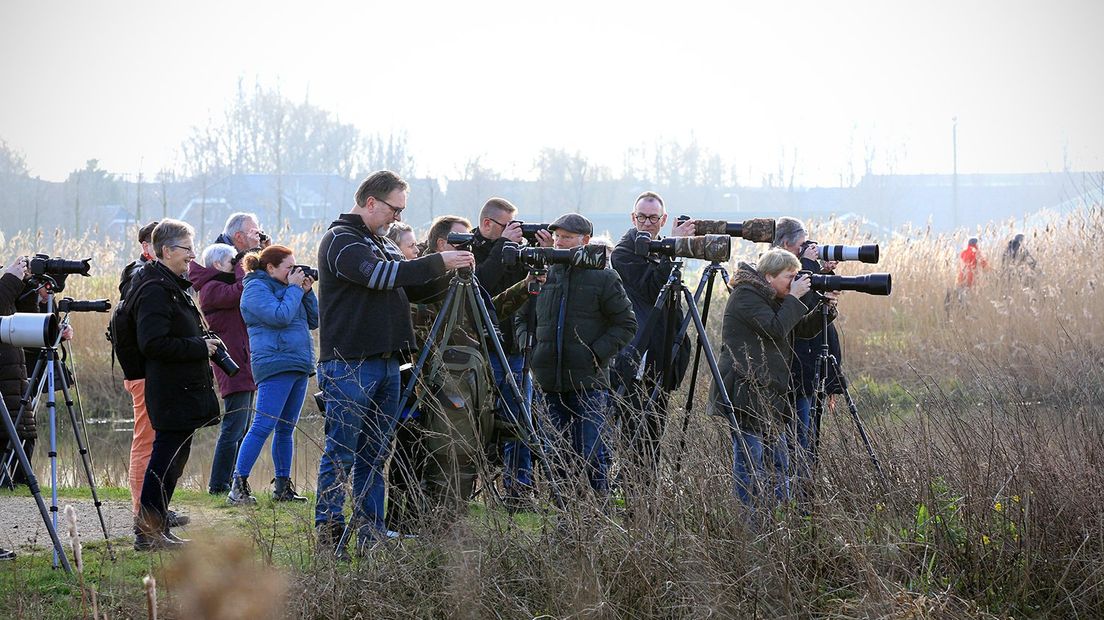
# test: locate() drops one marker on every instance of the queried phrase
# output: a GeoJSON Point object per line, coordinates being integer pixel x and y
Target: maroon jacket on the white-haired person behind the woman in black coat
{"type": "Point", "coordinates": [220, 301]}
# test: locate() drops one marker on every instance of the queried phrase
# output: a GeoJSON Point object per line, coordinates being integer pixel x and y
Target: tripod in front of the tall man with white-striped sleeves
{"type": "Point", "coordinates": [464, 290]}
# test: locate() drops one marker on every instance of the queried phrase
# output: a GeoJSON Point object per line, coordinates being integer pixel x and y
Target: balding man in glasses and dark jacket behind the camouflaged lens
{"type": "Point", "coordinates": [644, 276]}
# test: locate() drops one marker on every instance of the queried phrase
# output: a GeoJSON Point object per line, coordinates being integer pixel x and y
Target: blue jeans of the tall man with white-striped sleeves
{"type": "Point", "coordinates": [362, 413]}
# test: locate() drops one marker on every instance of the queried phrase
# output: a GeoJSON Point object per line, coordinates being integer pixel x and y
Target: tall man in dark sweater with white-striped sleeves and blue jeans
{"type": "Point", "coordinates": [365, 328]}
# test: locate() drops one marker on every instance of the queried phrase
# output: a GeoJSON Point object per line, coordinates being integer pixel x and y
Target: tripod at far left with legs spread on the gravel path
{"type": "Point", "coordinates": [45, 377]}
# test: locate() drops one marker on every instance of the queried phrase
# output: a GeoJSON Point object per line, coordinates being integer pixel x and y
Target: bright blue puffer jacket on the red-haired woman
{"type": "Point", "coordinates": [279, 318]}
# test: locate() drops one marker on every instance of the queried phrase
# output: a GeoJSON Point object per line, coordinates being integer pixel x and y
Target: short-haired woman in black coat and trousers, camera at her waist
{"type": "Point", "coordinates": [179, 383]}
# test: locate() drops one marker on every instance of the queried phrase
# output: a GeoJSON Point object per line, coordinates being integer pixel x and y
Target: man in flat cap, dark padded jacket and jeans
{"type": "Point", "coordinates": [583, 319]}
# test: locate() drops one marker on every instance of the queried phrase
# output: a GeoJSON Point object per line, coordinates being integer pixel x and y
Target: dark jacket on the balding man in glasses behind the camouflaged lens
{"type": "Point", "coordinates": [644, 277]}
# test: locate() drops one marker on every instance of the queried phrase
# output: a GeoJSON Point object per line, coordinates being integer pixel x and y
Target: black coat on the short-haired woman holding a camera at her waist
{"type": "Point", "coordinates": [179, 382]}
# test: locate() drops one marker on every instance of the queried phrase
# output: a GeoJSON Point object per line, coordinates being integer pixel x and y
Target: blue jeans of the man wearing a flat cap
{"type": "Point", "coordinates": [579, 420]}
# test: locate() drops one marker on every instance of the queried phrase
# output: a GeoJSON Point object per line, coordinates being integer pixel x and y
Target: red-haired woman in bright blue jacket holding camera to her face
{"type": "Point", "coordinates": [280, 309]}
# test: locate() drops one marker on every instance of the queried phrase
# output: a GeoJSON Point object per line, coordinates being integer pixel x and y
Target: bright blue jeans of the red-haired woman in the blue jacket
{"type": "Point", "coordinates": [280, 402]}
